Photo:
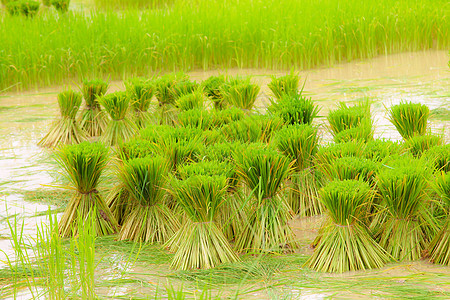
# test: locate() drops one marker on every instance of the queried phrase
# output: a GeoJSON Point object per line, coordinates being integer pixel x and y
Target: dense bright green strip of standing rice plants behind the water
{"type": "Point", "coordinates": [194, 34]}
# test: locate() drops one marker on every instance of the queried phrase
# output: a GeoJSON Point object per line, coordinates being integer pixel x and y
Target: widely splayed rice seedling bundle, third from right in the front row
{"type": "Point", "coordinates": [346, 245]}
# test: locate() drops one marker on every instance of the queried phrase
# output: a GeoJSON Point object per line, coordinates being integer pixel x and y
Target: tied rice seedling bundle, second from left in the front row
{"type": "Point", "coordinates": [150, 220]}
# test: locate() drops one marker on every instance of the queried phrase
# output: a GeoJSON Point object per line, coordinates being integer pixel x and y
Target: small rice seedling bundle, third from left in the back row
{"type": "Point", "coordinates": [120, 128]}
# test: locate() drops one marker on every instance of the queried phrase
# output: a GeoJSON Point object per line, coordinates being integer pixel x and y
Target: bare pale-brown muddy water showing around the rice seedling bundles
{"type": "Point", "coordinates": [24, 119]}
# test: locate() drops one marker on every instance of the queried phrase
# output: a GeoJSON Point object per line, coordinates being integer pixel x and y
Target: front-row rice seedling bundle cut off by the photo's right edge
{"type": "Point", "coordinates": [439, 248]}
